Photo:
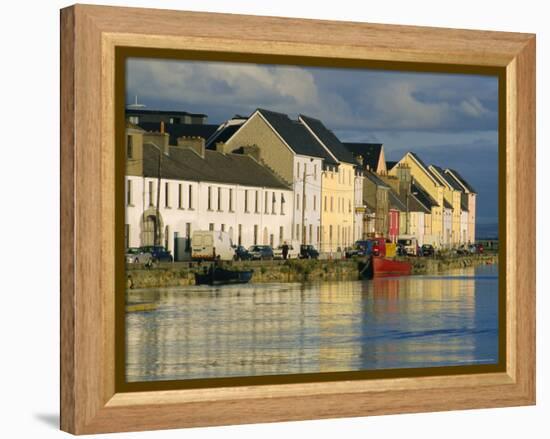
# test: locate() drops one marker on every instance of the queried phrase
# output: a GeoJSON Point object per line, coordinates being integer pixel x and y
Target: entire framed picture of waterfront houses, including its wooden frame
{"type": "Point", "coordinates": [269, 219]}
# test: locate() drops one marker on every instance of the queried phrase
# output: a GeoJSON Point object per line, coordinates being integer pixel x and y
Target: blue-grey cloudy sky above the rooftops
{"type": "Point", "coordinates": [449, 120]}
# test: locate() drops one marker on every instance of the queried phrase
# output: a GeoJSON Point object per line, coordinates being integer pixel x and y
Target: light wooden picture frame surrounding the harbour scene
{"type": "Point", "coordinates": [90, 35]}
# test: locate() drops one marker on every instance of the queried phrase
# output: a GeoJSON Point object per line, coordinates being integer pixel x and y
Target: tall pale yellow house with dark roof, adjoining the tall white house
{"type": "Point", "coordinates": [338, 184]}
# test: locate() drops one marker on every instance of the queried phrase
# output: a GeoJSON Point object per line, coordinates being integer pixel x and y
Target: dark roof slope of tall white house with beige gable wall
{"type": "Point", "coordinates": [300, 140]}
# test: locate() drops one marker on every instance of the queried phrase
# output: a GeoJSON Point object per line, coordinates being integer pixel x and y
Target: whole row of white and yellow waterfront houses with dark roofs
{"type": "Point", "coordinates": [268, 179]}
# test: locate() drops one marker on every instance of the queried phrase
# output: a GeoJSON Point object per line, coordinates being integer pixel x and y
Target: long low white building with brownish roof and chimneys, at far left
{"type": "Point", "coordinates": [200, 190]}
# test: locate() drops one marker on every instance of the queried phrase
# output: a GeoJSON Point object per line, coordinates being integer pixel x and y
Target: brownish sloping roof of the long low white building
{"type": "Point", "coordinates": [186, 164]}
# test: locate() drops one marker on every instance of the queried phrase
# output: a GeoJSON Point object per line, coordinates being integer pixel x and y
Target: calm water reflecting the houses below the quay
{"type": "Point", "coordinates": [417, 321]}
